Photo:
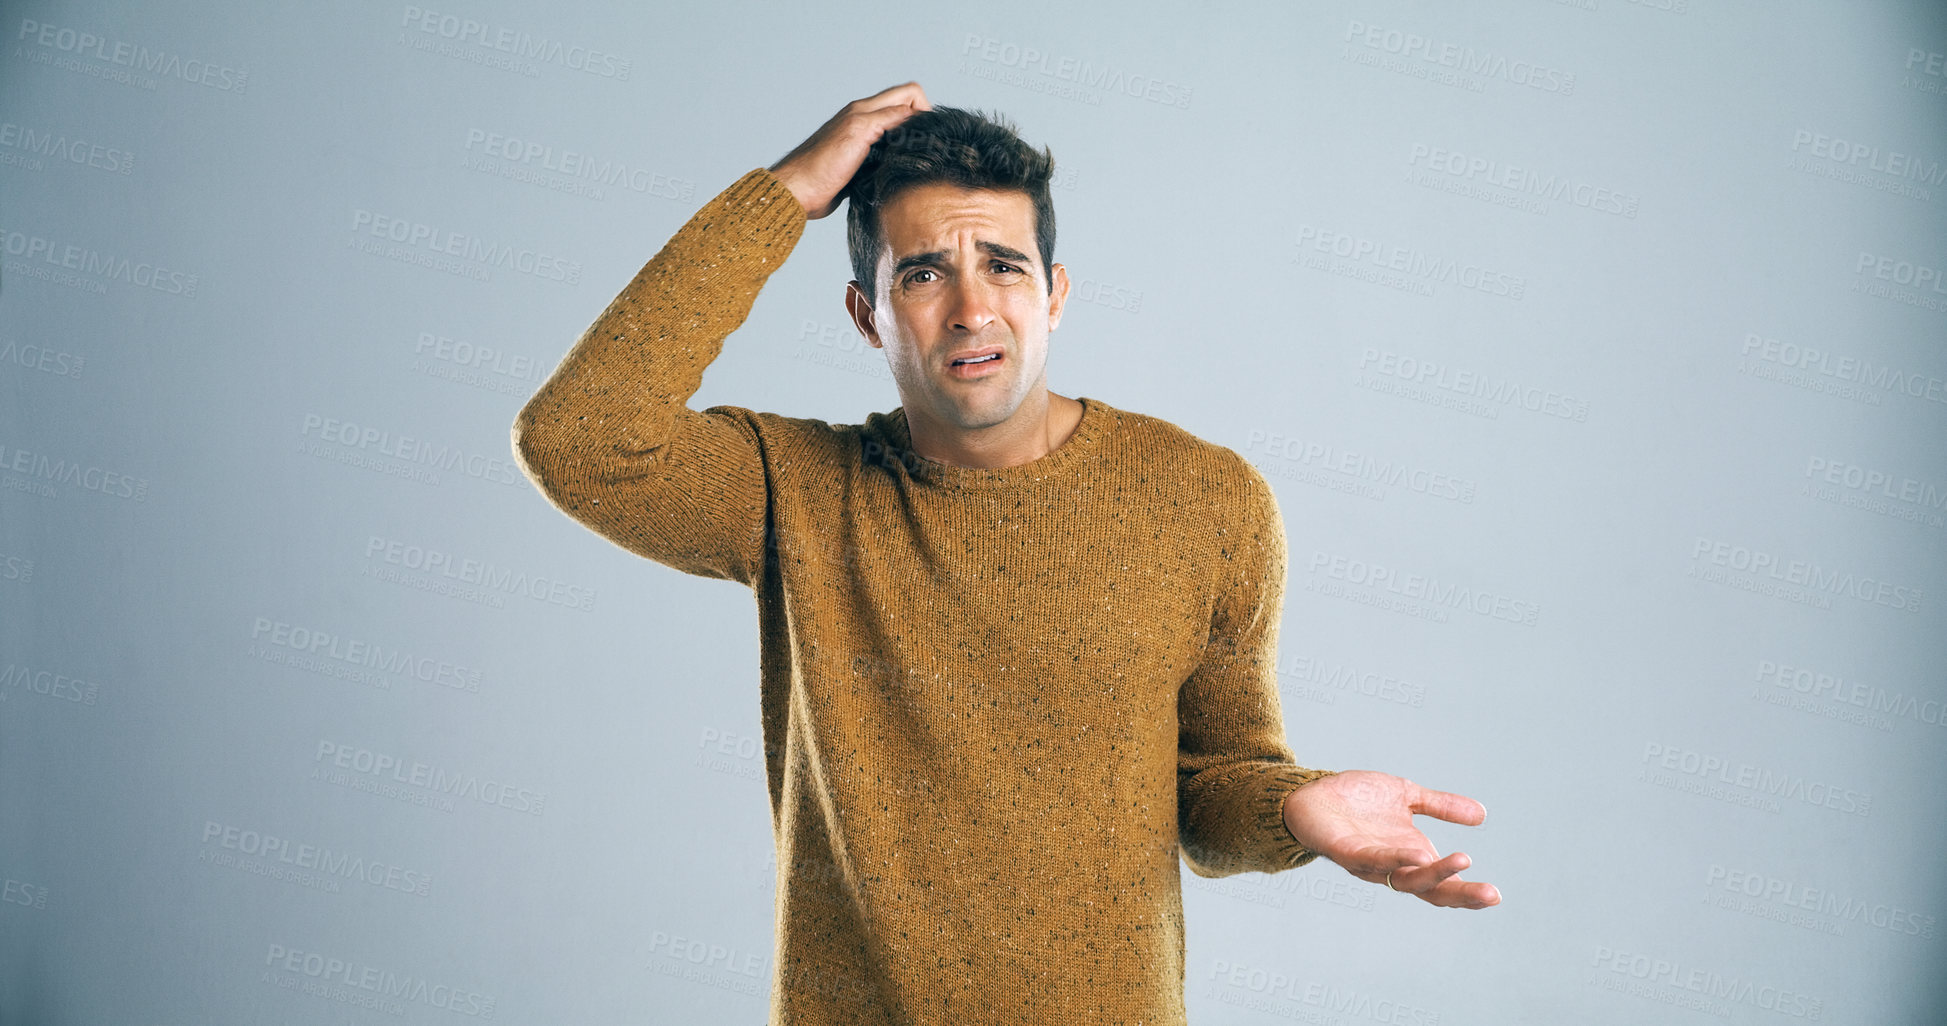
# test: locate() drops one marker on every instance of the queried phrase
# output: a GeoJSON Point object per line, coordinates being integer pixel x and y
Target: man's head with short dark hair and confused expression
{"type": "Point", "coordinates": [953, 238]}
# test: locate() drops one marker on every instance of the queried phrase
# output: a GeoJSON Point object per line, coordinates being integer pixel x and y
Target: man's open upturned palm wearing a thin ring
{"type": "Point", "coordinates": [1364, 823]}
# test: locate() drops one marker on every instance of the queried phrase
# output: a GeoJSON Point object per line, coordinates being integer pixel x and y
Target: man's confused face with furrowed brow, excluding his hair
{"type": "Point", "coordinates": [961, 275]}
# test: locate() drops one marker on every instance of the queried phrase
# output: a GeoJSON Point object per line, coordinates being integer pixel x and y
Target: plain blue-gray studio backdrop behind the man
{"type": "Point", "coordinates": [1685, 404]}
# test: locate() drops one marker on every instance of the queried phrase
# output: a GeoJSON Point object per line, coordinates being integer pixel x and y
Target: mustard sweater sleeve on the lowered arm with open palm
{"type": "Point", "coordinates": [1233, 766]}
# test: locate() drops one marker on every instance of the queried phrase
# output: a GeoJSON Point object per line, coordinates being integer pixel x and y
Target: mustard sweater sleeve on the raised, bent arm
{"type": "Point", "coordinates": [610, 439]}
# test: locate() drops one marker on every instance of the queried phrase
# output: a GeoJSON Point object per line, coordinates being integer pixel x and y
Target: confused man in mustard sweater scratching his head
{"type": "Point", "coordinates": [1017, 649]}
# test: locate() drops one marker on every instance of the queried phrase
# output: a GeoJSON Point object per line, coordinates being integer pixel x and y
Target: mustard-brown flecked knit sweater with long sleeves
{"type": "Point", "coordinates": [998, 704]}
